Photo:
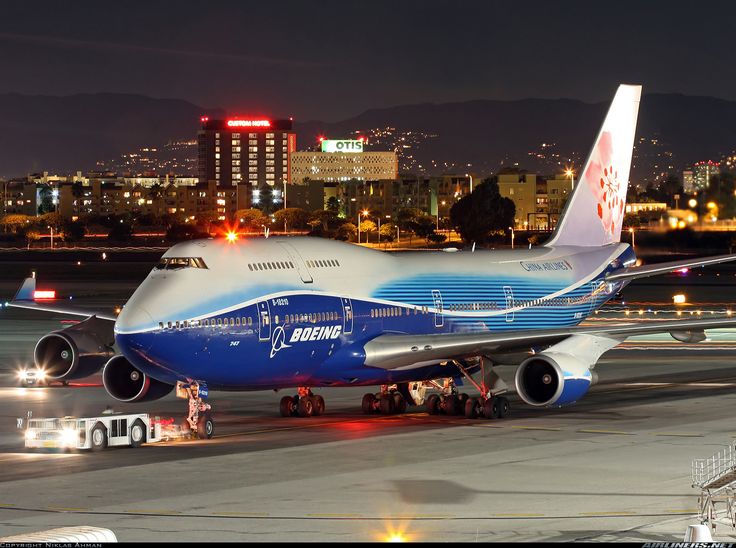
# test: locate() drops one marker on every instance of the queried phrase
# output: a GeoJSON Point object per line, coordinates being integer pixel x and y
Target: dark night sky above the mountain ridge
{"type": "Point", "coordinates": [330, 60]}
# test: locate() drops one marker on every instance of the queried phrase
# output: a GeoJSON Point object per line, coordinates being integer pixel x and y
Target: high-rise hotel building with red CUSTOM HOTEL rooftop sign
{"type": "Point", "coordinates": [245, 151]}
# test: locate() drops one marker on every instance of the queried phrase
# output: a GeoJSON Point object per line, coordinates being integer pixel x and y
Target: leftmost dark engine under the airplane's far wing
{"type": "Point", "coordinates": [77, 351]}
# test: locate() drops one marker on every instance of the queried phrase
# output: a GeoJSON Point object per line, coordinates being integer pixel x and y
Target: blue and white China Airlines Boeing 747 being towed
{"type": "Point", "coordinates": [285, 312]}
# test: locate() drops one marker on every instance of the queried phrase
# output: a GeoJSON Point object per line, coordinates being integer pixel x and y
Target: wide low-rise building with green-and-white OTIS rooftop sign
{"type": "Point", "coordinates": [343, 160]}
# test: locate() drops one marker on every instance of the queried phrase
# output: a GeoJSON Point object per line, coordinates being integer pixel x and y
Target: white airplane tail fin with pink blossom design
{"type": "Point", "coordinates": [595, 211]}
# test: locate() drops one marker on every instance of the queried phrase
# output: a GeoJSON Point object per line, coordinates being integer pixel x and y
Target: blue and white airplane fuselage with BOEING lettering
{"type": "Point", "coordinates": [284, 312]}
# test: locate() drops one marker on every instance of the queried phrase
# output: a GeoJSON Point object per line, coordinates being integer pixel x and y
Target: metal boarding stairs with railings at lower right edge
{"type": "Point", "coordinates": [716, 479]}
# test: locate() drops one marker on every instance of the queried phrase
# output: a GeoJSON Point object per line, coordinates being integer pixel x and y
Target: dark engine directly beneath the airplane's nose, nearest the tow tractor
{"type": "Point", "coordinates": [126, 383]}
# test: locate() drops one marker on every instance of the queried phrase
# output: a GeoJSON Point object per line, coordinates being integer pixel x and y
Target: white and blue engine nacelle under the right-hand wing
{"type": "Point", "coordinates": [553, 379]}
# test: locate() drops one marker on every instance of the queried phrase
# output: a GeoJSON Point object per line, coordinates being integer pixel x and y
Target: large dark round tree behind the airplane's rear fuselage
{"type": "Point", "coordinates": [477, 215]}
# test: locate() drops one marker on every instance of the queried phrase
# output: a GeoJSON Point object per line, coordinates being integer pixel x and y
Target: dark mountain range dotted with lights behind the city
{"type": "Point", "coordinates": [72, 133]}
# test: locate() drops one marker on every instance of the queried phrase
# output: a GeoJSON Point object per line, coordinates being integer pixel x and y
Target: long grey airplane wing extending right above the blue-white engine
{"type": "Point", "coordinates": [407, 351]}
